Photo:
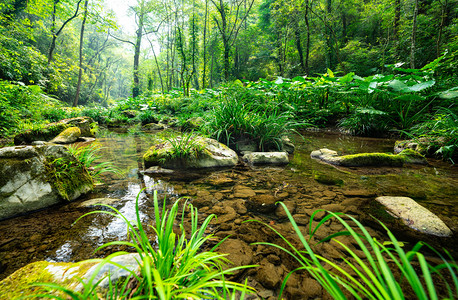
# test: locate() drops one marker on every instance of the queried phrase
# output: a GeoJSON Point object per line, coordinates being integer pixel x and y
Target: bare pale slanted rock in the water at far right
{"type": "Point", "coordinates": [414, 215]}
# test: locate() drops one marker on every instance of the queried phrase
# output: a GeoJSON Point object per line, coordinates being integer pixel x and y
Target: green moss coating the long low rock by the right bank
{"type": "Point", "coordinates": [371, 159]}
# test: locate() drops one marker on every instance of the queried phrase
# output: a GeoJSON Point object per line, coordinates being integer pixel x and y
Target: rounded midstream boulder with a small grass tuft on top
{"type": "Point", "coordinates": [190, 153]}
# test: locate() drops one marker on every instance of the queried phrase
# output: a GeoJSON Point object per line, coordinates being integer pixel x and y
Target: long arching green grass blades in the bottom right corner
{"type": "Point", "coordinates": [375, 276]}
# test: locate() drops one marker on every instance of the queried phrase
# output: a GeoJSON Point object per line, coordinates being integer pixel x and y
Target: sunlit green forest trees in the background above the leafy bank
{"type": "Point", "coordinates": [202, 43]}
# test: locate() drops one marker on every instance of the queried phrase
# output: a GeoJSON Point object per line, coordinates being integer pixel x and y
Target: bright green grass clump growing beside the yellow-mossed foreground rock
{"type": "Point", "coordinates": [174, 267]}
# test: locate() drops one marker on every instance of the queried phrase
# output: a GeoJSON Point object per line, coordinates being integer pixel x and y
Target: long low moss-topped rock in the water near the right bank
{"type": "Point", "coordinates": [369, 159]}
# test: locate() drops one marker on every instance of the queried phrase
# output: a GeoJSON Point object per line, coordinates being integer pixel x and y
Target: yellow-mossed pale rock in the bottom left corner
{"type": "Point", "coordinates": [20, 283]}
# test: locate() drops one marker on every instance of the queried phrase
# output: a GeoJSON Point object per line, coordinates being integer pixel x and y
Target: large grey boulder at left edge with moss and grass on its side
{"type": "Point", "coordinates": [35, 177]}
